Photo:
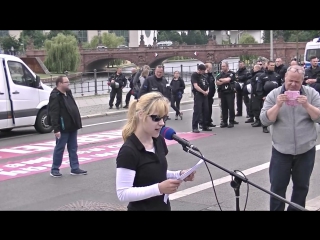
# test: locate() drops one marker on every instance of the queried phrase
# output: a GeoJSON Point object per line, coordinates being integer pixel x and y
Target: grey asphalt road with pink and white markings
{"type": "Point", "coordinates": [25, 160]}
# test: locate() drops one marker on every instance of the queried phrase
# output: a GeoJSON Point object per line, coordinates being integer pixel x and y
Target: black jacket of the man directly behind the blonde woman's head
{"type": "Point", "coordinates": [154, 84]}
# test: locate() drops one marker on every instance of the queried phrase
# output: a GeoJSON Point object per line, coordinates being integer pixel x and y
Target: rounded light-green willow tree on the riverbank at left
{"type": "Point", "coordinates": [62, 54]}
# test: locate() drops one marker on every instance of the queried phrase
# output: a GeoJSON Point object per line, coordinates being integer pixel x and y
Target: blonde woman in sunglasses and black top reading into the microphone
{"type": "Point", "coordinates": [142, 176]}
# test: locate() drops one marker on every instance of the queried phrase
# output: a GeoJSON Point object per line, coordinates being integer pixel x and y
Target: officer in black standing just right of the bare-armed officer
{"type": "Point", "coordinates": [242, 76]}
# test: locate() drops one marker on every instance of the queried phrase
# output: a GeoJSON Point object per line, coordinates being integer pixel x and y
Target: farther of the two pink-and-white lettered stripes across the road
{"type": "Point", "coordinates": [38, 147]}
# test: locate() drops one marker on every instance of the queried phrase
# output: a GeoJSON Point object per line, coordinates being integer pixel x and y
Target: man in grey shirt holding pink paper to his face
{"type": "Point", "coordinates": [293, 127]}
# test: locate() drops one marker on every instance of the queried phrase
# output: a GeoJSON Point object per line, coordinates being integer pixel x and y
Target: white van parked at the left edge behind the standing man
{"type": "Point", "coordinates": [23, 97]}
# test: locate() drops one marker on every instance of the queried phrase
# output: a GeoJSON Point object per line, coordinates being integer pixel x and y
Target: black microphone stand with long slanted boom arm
{"type": "Point", "coordinates": [238, 179]}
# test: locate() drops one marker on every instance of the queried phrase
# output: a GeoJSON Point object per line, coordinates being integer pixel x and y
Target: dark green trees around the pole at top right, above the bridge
{"type": "Point", "coordinates": [292, 35]}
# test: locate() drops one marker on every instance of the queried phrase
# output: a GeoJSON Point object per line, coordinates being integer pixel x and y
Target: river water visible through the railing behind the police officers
{"type": "Point", "coordinates": [88, 86]}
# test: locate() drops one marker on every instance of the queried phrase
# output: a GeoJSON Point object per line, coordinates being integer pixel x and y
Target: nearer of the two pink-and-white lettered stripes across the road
{"type": "Point", "coordinates": [22, 168]}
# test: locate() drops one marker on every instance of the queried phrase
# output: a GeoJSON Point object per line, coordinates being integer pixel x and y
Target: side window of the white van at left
{"type": "Point", "coordinates": [20, 75]}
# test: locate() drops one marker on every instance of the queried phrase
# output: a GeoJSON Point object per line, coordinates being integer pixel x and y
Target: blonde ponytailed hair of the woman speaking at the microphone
{"type": "Point", "coordinates": [153, 102]}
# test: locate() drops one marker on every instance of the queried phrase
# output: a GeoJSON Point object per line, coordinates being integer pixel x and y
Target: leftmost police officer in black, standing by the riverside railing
{"type": "Point", "coordinates": [117, 83]}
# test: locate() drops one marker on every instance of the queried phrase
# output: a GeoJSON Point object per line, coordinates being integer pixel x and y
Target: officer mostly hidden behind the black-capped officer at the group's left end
{"type": "Point", "coordinates": [212, 90]}
